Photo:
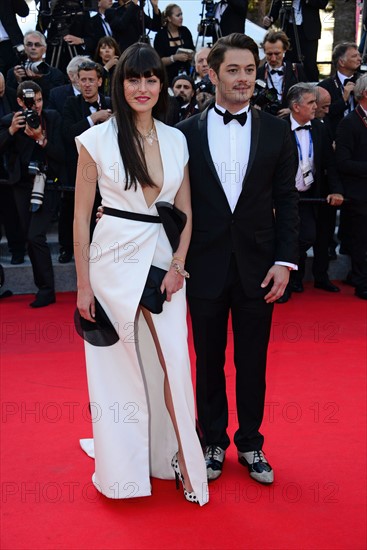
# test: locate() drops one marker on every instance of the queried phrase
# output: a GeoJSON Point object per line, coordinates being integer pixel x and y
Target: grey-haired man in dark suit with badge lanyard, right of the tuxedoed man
{"type": "Point", "coordinates": [314, 155]}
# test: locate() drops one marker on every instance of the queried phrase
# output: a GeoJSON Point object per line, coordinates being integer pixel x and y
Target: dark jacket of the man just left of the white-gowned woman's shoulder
{"type": "Point", "coordinates": [74, 123]}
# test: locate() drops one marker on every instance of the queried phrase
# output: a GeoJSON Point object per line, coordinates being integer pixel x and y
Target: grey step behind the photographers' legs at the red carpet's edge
{"type": "Point", "coordinates": [19, 278]}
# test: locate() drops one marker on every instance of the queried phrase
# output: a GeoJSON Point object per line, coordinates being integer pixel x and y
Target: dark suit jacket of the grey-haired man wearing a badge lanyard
{"type": "Point", "coordinates": [326, 178]}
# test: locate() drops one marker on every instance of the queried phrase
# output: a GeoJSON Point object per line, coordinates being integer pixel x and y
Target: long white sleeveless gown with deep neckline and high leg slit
{"type": "Point", "coordinates": [133, 433]}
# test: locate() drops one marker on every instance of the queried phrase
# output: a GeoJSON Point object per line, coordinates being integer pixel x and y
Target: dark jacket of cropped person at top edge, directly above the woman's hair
{"type": "Point", "coordinates": [126, 24]}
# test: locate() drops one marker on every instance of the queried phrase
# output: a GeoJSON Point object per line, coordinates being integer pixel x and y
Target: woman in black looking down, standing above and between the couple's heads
{"type": "Point", "coordinates": [172, 36]}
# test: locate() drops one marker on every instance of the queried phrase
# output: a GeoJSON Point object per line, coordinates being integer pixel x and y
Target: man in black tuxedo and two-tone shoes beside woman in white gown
{"type": "Point", "coordinates": [244, 241]}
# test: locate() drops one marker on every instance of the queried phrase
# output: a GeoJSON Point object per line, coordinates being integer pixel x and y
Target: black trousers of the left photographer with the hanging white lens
{"type": "Point", "coordinates": [34, 226]}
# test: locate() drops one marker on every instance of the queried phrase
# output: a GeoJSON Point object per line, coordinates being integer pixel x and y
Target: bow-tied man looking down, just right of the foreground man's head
{"type": "Point", "coordinates": [278, 73]}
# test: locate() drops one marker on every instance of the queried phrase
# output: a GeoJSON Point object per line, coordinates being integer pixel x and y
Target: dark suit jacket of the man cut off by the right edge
{"type": "Point", "coordinates": [351, 147]}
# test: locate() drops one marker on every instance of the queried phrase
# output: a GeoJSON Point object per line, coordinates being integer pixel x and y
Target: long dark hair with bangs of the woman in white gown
{"type": "Point", "coordinates": [138, 60]}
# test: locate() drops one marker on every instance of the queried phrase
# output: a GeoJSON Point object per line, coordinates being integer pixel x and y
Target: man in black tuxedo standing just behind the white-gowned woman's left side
{"type": "Point", "coordinates": [80, 113]}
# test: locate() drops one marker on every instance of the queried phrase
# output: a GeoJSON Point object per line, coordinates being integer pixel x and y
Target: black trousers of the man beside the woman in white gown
{"type": "Point", "coordinates": [251, 322]}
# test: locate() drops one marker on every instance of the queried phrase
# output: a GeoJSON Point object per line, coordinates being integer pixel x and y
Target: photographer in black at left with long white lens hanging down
{"type": "Point", "coordinates": [31, 141]}
